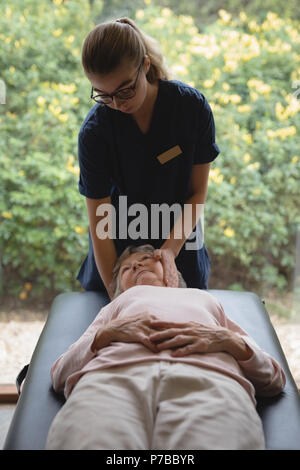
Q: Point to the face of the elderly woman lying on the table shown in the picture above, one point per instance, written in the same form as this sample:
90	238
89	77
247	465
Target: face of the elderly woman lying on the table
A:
141	269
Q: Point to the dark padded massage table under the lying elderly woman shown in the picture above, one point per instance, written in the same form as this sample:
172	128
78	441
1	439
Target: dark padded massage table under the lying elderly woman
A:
71	313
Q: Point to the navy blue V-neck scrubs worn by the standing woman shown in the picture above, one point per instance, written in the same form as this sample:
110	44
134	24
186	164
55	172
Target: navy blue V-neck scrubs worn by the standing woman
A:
116	158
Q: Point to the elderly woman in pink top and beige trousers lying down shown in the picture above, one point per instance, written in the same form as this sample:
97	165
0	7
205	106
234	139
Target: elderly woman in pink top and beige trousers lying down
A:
161	368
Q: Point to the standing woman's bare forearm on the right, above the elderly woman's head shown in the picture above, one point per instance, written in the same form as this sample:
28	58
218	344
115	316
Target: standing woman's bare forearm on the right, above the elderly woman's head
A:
186	223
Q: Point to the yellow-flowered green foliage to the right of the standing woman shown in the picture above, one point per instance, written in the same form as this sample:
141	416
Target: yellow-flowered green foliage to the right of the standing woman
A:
246	71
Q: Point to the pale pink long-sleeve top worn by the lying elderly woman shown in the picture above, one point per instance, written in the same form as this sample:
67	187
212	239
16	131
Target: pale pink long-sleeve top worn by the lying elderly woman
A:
260	374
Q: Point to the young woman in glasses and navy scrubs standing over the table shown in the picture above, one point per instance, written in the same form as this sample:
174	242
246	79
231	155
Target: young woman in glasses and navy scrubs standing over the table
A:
150	139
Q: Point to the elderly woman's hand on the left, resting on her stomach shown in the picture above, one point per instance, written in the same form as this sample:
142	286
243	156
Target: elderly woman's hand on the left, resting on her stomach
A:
132	329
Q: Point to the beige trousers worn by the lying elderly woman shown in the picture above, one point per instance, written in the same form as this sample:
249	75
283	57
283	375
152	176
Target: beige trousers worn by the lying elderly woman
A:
157	405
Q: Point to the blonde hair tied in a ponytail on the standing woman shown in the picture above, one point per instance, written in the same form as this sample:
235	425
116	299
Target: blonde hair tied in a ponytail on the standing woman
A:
110	43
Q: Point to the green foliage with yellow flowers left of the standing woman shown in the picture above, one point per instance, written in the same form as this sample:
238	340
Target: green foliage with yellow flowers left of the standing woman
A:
47	97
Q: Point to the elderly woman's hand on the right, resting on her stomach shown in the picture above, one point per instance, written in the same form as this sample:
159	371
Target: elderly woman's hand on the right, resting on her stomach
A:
190	337
